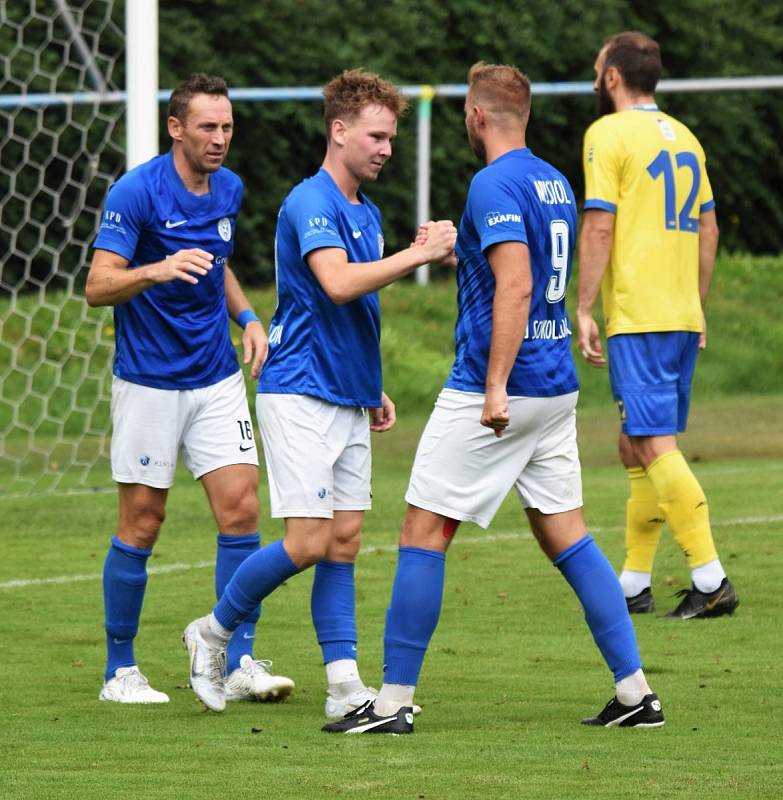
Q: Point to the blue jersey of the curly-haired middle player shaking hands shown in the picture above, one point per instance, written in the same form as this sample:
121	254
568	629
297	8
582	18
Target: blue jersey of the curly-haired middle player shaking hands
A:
317	347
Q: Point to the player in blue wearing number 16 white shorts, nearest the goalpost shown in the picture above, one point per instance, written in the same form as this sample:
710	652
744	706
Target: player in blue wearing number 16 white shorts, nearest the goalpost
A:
161	259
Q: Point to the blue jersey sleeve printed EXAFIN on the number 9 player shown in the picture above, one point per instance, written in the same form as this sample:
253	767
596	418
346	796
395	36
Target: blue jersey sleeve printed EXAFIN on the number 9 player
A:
496	213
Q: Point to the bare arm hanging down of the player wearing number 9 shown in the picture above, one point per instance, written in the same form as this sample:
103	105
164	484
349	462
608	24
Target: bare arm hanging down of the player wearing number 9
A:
510	263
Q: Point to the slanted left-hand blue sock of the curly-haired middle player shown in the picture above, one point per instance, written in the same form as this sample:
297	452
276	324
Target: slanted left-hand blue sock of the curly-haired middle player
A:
256	577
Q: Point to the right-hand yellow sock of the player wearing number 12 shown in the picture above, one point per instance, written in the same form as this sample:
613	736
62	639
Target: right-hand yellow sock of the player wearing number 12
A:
684	505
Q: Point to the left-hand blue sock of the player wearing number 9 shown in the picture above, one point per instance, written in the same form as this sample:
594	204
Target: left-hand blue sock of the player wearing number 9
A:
413	614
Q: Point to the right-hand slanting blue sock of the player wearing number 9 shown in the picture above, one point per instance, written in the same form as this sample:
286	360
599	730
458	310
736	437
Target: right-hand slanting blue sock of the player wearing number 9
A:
591	576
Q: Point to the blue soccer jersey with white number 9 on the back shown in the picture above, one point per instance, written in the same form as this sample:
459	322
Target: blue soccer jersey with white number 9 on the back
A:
517	198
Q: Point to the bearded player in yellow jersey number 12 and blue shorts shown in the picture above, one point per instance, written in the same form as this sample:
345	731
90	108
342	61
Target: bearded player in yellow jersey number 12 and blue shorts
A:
648	242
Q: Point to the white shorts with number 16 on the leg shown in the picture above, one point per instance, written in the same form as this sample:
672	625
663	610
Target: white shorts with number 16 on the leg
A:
210	426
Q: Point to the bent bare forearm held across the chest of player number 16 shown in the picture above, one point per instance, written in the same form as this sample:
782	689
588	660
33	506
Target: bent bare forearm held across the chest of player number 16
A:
110	281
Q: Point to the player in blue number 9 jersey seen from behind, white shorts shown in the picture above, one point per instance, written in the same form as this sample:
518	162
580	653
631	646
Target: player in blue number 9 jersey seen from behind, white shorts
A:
506	418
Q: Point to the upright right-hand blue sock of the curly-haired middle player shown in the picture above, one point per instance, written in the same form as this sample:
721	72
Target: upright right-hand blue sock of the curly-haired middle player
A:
333	607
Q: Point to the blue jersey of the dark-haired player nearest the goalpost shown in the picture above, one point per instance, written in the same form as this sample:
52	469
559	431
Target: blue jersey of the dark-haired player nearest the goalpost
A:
172	335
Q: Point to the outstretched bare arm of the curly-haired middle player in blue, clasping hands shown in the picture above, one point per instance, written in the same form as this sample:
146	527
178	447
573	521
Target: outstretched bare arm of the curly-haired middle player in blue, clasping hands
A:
344	281
